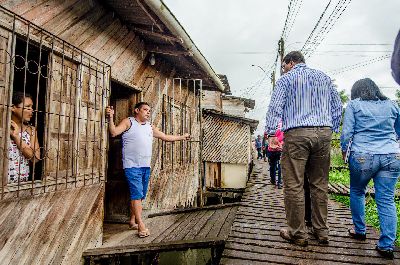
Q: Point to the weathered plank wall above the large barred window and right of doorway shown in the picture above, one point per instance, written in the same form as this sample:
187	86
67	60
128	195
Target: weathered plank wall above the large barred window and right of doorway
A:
95	30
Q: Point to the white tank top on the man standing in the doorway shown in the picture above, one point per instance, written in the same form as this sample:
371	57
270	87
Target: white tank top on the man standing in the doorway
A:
137	143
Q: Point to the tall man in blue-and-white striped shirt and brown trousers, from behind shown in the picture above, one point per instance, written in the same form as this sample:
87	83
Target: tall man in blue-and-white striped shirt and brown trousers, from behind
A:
309	106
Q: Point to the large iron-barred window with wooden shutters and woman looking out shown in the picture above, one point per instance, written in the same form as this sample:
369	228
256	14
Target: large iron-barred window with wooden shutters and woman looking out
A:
69	90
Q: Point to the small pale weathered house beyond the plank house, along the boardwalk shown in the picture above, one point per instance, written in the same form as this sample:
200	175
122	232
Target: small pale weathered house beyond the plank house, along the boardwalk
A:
226	142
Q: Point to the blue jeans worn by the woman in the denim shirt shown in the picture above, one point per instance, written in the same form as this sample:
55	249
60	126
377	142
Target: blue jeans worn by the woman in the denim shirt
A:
384	170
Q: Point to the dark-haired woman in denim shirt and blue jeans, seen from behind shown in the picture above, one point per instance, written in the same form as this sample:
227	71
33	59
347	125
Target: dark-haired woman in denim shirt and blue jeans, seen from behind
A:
370	128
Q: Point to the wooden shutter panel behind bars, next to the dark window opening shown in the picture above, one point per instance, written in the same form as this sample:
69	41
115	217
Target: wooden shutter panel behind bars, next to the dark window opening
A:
60	118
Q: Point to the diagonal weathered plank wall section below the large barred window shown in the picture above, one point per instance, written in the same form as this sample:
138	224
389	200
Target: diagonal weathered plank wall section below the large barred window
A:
52	228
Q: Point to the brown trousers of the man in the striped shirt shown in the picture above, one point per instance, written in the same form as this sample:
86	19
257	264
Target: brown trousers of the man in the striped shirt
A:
302	145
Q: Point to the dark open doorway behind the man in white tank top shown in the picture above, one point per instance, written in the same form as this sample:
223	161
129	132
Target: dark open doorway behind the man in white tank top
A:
122	99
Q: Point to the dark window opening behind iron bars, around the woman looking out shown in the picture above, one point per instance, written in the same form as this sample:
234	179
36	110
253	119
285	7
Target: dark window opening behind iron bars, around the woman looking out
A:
29	59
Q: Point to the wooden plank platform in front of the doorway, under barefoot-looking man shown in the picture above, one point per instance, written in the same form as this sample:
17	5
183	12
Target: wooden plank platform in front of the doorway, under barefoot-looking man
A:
175	230
